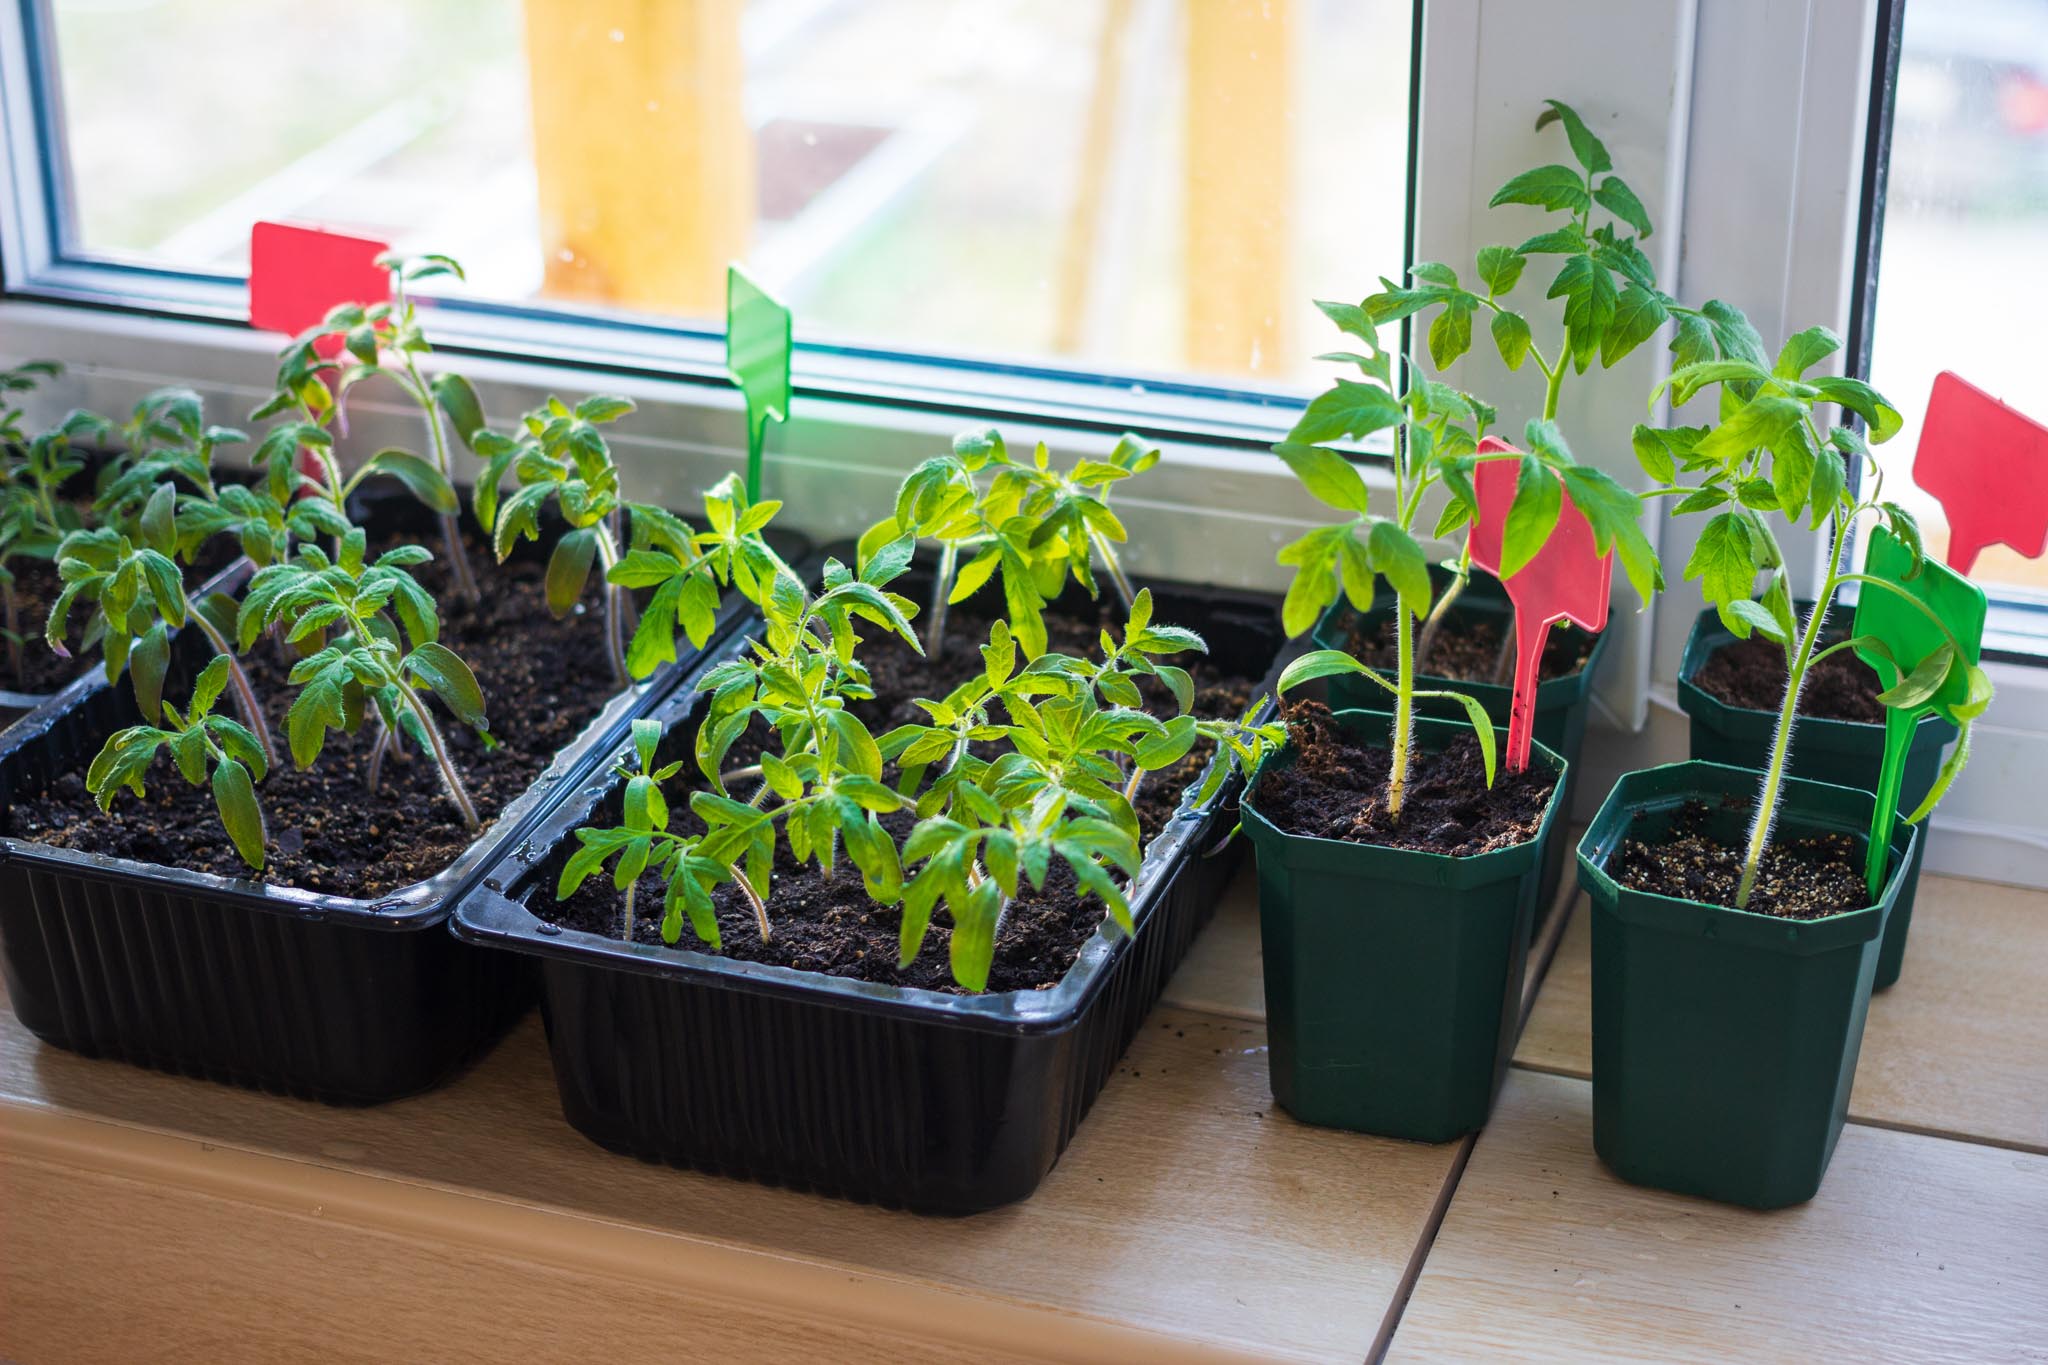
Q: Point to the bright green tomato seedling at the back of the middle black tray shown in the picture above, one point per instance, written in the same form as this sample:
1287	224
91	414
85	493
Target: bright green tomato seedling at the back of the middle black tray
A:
1027	523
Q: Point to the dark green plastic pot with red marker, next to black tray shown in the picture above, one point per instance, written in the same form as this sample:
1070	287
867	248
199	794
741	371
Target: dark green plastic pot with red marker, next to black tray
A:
1394	979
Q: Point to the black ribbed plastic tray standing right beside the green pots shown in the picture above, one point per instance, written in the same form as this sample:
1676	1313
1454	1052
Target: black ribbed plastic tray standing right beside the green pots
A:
896	1096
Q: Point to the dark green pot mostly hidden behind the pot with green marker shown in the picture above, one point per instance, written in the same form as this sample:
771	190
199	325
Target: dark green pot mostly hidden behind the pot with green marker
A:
1842	752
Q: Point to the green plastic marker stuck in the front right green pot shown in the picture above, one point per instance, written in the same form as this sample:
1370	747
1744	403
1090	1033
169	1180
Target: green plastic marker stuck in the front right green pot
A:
1912	637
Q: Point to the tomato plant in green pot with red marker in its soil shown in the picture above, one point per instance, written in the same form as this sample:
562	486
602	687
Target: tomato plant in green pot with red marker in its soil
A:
1398	879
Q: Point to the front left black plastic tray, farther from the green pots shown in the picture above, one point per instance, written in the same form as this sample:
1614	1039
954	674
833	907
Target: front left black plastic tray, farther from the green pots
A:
327	998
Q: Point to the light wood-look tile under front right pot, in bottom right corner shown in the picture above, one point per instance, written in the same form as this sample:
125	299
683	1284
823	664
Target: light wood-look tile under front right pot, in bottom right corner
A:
1918	1249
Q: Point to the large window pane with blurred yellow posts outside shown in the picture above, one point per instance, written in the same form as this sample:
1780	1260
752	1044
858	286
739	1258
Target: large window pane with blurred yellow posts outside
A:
1150	187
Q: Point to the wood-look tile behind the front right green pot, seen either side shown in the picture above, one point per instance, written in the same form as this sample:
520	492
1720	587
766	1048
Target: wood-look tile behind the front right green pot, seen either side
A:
1959	1047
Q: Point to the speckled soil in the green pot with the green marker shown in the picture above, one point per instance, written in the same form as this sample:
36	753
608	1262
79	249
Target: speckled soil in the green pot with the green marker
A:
1799	879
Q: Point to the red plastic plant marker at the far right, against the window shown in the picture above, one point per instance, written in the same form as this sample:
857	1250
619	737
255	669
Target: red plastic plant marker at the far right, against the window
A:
1990	470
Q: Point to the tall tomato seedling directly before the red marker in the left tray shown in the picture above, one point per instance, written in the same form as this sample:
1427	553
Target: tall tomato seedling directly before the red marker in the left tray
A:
382	341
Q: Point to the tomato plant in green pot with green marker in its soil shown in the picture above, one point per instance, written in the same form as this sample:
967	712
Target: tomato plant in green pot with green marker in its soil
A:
1738	926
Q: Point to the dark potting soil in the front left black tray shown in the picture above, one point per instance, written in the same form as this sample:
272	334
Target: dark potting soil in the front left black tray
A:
542	678
